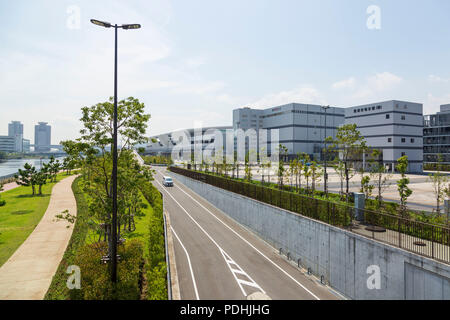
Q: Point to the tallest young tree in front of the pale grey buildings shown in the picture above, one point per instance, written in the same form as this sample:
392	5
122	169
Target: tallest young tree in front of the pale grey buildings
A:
349	142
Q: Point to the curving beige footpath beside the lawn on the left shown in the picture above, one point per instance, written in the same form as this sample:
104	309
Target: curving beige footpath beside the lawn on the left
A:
29	271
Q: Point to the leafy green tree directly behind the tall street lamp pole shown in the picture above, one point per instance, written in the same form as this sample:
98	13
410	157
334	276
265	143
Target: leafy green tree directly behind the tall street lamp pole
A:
96	137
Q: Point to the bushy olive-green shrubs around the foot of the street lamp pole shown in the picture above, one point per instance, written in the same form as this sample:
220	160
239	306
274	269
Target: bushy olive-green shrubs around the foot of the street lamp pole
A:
95	276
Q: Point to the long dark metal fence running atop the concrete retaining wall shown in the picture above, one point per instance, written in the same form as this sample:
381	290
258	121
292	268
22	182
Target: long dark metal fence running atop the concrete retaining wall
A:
422	238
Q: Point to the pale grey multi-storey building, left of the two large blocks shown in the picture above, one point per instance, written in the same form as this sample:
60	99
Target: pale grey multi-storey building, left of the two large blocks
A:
302	127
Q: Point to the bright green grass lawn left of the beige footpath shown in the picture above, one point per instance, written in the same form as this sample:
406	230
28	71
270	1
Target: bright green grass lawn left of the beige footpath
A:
20	216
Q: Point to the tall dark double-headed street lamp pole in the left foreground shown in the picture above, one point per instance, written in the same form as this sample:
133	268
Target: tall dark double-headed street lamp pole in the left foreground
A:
113	251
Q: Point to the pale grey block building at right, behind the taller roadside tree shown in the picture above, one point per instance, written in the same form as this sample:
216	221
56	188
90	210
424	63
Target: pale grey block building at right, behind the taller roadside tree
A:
395	127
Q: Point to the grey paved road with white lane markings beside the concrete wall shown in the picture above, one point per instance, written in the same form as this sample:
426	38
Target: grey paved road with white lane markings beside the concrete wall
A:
219	259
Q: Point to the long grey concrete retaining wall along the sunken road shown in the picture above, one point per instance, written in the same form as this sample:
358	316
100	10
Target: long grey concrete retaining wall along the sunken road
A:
347	261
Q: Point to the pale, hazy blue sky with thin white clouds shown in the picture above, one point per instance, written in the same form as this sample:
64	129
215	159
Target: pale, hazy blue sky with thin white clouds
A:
198	60
